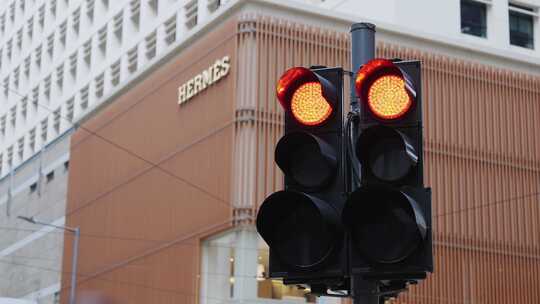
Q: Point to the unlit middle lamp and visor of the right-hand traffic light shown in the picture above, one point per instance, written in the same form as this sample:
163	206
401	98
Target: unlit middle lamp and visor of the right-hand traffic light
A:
386	152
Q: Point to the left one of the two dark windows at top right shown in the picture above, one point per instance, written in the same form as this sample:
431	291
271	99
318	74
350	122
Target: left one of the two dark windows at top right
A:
474	18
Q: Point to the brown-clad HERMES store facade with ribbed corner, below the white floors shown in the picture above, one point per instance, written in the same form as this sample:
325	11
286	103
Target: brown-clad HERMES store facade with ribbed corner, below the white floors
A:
176	219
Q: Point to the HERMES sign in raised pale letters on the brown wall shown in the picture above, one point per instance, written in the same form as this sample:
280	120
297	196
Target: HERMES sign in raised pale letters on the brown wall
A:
200	82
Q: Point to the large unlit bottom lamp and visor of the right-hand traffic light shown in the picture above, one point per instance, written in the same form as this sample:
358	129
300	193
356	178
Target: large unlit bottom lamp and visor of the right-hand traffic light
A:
386	224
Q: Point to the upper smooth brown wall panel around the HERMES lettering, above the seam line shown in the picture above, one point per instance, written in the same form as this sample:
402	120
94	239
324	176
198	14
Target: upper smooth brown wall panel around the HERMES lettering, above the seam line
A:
133	121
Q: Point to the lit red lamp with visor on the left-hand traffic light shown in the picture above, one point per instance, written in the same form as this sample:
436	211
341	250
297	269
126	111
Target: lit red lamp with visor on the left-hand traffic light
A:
309	97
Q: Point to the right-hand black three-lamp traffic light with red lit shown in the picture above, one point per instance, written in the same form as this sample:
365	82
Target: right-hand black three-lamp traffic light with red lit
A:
388	218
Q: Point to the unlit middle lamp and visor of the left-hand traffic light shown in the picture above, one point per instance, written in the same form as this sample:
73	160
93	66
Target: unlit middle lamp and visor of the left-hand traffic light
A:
306	159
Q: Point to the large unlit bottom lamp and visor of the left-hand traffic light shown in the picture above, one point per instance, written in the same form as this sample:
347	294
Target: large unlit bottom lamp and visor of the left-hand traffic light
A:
302	229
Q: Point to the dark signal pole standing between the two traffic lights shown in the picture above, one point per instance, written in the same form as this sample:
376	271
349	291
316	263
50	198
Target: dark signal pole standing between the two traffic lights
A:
362	51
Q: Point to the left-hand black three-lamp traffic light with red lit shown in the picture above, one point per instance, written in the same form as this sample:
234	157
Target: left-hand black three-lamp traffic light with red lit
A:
302	224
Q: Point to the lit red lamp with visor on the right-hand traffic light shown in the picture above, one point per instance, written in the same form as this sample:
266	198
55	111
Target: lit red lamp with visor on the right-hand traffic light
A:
385	89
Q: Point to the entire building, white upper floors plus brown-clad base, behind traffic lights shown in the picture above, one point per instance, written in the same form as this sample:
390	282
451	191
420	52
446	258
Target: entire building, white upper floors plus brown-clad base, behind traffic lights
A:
106	60
